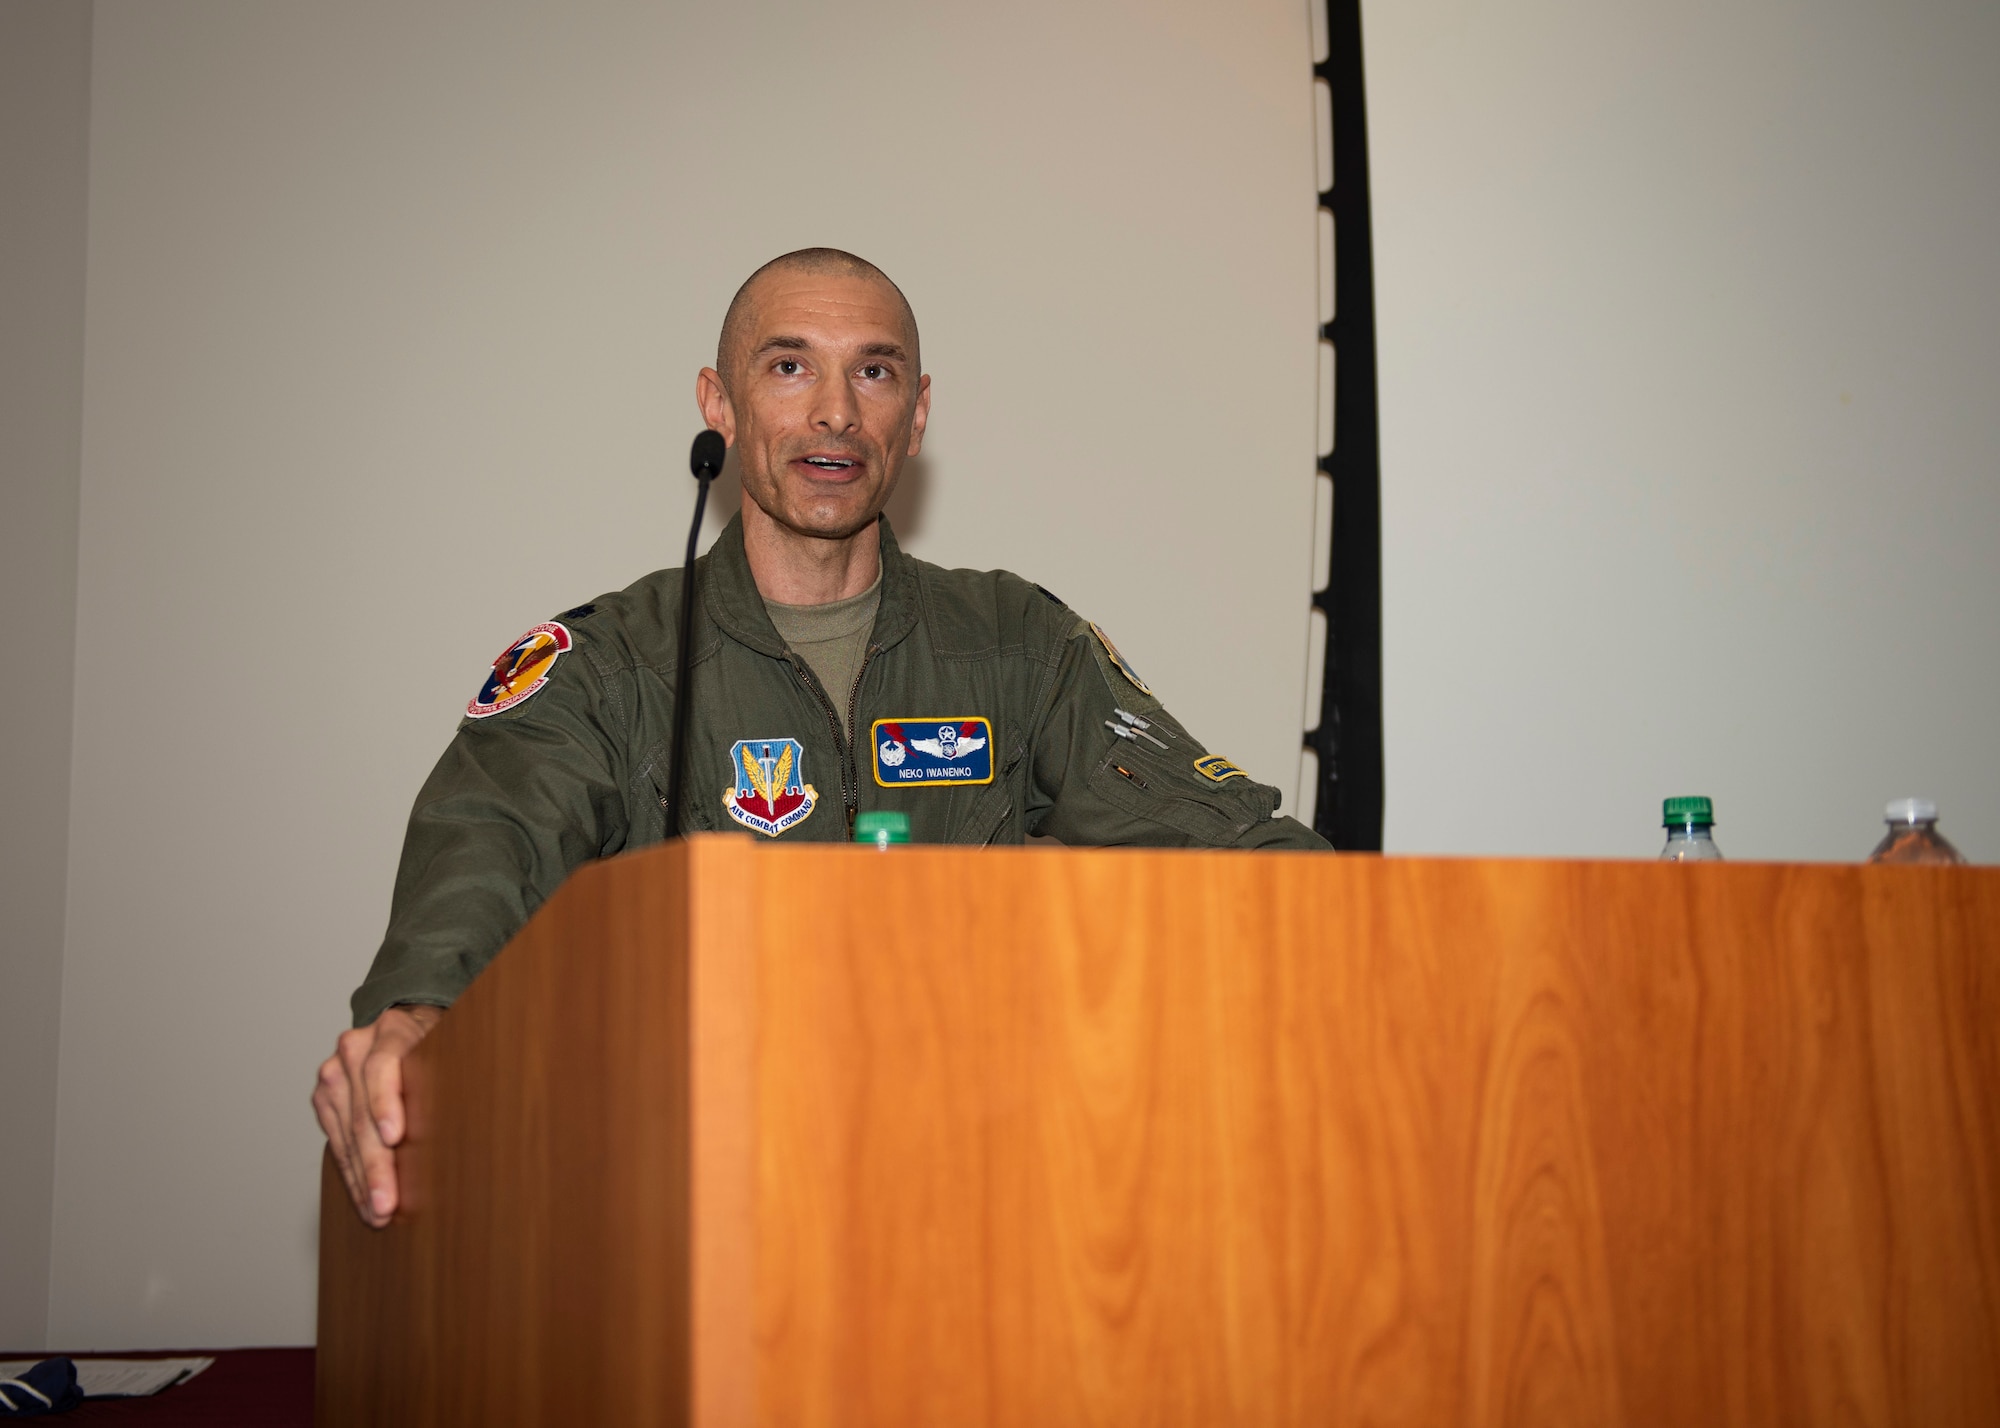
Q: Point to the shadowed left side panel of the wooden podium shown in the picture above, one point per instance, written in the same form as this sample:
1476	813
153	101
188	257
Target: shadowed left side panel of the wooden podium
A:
537	1271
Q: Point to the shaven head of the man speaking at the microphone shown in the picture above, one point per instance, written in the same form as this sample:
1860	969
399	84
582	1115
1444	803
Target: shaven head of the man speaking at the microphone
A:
819	387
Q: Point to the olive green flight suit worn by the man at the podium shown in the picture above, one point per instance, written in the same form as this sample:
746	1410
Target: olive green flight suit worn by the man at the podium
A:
579	769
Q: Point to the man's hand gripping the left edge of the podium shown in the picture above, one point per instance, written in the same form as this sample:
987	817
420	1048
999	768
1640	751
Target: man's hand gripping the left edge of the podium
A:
359	1103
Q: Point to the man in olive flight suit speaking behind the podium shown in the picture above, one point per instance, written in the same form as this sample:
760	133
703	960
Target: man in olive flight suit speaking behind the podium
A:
831	675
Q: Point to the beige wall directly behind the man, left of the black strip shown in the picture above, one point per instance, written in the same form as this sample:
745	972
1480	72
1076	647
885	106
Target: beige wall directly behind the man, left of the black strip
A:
395	315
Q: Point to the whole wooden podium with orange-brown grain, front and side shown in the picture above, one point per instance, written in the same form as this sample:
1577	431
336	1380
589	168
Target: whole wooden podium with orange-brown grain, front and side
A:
809	1135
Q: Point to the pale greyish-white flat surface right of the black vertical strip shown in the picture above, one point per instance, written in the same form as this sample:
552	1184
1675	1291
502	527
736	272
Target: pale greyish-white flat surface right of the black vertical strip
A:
1691	421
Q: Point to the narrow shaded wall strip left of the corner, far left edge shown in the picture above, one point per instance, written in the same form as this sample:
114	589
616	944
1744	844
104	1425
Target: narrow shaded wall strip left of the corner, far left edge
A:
45	151
